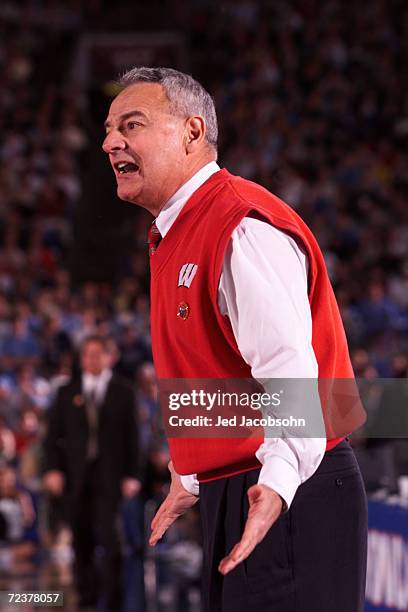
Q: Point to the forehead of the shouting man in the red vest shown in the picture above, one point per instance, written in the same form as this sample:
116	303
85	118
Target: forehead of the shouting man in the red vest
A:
146	97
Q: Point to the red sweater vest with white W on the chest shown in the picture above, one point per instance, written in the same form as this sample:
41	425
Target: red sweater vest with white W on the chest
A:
203	345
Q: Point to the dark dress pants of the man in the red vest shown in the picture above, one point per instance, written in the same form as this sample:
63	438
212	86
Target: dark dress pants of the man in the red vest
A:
313	559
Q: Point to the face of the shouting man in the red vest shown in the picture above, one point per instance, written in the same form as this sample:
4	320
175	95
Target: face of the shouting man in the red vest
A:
145	144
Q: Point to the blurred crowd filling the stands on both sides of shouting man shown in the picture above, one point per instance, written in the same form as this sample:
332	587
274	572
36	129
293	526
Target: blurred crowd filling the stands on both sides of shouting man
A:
312	104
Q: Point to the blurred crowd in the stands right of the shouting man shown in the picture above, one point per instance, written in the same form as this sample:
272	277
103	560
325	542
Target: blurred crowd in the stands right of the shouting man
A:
313	106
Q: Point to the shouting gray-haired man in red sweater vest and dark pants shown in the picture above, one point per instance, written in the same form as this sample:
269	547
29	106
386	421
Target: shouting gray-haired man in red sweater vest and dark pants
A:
284	519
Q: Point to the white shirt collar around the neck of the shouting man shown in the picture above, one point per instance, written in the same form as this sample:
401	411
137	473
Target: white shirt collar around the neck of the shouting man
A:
173	206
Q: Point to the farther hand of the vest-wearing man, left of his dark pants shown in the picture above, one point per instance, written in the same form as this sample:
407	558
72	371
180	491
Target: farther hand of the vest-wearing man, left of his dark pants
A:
177	502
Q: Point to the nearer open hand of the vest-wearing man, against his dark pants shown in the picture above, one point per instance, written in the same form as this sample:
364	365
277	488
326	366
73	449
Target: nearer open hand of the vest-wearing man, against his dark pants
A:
265	506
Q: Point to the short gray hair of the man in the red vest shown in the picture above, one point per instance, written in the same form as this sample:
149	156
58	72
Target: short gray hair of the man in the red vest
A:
186	96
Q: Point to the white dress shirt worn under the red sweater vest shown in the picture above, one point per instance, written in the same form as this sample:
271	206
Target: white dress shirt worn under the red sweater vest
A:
263	292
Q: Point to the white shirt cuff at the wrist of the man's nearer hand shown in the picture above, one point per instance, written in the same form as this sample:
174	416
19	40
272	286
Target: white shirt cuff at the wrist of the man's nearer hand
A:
278	474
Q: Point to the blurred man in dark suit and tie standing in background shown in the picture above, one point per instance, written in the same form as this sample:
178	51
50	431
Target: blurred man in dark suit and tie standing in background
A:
91	452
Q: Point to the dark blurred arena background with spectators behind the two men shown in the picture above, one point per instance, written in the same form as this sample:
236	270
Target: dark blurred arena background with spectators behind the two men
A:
312	104
